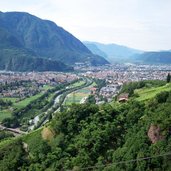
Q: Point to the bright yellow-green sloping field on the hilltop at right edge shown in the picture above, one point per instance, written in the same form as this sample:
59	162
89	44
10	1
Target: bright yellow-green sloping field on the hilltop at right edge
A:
147	93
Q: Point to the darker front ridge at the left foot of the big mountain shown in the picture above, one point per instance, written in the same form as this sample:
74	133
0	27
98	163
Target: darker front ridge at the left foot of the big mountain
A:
14	57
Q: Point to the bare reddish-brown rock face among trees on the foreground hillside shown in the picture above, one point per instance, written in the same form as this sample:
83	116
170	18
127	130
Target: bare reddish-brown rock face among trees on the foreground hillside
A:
154	134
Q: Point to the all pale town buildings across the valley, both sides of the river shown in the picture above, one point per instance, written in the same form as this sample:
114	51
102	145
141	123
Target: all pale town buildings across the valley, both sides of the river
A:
114	75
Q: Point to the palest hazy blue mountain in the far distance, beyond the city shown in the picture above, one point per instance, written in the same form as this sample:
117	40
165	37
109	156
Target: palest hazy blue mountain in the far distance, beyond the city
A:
114	52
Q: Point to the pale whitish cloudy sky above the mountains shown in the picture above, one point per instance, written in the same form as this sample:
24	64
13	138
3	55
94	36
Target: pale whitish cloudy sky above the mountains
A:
140	24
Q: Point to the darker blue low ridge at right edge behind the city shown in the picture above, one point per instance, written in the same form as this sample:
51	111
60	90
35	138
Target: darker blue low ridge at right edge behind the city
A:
163	57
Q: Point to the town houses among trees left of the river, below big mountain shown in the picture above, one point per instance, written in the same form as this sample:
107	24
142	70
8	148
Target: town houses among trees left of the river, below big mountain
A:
22	85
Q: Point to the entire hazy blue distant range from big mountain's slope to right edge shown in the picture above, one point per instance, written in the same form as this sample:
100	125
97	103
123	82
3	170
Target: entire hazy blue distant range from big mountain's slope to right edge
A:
117	53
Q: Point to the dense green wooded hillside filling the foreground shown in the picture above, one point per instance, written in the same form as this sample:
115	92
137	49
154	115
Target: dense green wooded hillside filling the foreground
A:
128	136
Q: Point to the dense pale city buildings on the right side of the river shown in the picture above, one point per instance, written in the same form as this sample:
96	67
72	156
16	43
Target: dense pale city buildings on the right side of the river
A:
116	75
